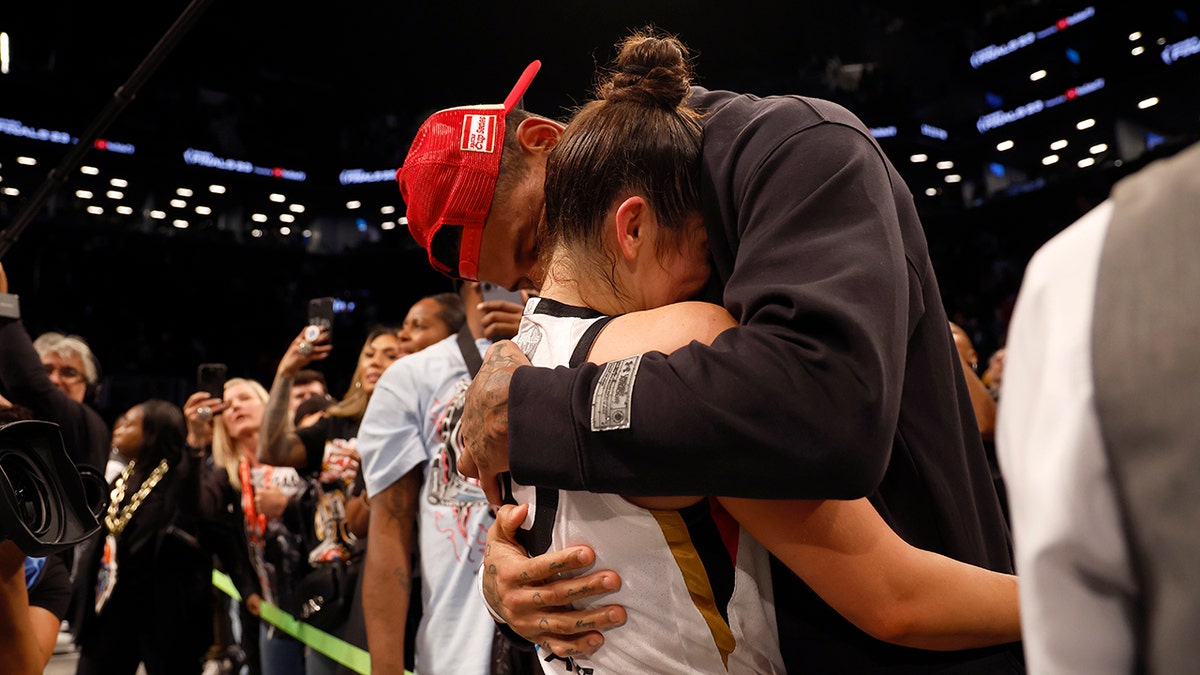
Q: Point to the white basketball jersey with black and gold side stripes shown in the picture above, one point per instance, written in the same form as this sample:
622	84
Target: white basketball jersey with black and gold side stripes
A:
680	622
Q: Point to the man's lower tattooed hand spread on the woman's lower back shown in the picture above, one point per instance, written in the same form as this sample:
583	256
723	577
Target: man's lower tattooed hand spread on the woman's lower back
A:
533	600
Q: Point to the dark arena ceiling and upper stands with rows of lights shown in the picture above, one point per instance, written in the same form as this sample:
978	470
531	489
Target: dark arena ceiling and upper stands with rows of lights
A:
273	129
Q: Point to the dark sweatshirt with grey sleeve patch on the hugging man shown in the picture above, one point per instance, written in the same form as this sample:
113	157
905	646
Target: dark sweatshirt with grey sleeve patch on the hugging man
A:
841	383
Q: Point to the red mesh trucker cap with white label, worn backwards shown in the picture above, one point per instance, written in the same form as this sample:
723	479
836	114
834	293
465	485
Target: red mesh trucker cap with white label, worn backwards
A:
449	178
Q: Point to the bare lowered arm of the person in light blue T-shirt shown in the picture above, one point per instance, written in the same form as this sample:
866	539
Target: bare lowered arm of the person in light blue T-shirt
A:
388	575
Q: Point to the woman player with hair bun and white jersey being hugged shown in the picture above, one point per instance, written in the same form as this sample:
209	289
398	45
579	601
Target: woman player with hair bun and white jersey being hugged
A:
621	259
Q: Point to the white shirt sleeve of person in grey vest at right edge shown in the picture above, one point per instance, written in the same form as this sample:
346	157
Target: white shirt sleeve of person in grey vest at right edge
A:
1072	559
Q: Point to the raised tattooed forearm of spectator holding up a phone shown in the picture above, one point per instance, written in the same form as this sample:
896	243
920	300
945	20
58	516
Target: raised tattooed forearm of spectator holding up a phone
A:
278	441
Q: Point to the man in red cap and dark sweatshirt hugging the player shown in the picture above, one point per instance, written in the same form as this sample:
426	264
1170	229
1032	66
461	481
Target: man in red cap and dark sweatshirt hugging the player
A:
841	383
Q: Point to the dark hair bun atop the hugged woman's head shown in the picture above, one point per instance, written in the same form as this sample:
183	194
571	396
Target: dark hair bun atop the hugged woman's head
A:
651	70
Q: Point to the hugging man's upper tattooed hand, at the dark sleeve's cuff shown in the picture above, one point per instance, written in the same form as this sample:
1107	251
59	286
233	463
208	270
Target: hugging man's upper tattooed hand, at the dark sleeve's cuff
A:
485	419
